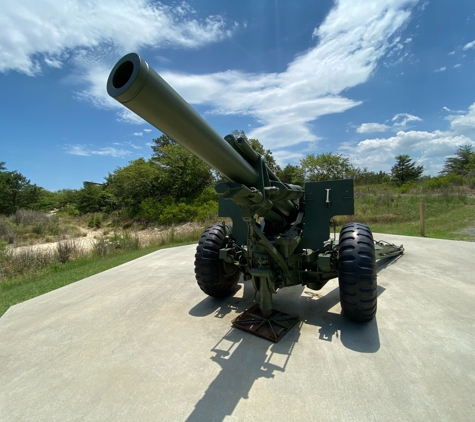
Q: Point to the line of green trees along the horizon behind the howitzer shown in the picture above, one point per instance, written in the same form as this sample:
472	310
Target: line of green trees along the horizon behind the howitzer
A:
175	186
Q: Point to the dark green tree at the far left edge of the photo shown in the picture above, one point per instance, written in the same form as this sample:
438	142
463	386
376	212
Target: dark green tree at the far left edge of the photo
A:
16	191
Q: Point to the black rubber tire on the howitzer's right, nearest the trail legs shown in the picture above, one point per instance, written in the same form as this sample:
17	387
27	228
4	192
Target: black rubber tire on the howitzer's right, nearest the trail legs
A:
357	276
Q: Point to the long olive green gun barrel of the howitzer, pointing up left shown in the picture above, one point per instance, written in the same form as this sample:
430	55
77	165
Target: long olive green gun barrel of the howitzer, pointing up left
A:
138	87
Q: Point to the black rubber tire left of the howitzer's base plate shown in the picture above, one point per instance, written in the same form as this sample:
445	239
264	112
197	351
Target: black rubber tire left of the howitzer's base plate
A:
215	277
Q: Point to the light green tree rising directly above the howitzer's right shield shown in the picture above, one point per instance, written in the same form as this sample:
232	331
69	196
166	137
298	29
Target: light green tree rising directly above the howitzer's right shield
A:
327	166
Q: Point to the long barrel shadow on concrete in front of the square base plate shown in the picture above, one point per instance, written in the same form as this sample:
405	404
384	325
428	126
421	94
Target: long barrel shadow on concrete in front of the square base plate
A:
243	359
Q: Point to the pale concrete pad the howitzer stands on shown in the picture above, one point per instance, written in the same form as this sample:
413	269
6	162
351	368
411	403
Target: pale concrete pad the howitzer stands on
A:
141	342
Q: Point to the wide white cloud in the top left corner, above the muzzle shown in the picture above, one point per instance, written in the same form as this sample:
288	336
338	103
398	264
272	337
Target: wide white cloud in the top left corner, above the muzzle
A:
51	32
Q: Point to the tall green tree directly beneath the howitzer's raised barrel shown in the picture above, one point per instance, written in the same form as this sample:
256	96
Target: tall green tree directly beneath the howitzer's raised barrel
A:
182	174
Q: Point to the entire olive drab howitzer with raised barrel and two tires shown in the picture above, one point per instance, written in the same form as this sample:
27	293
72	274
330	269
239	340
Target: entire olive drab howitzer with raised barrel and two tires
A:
281	232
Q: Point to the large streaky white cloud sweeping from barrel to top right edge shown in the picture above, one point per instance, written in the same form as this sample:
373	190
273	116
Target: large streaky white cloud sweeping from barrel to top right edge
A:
351	40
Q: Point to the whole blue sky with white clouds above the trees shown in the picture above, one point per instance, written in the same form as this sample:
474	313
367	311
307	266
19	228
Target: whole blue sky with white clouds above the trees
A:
370	79
